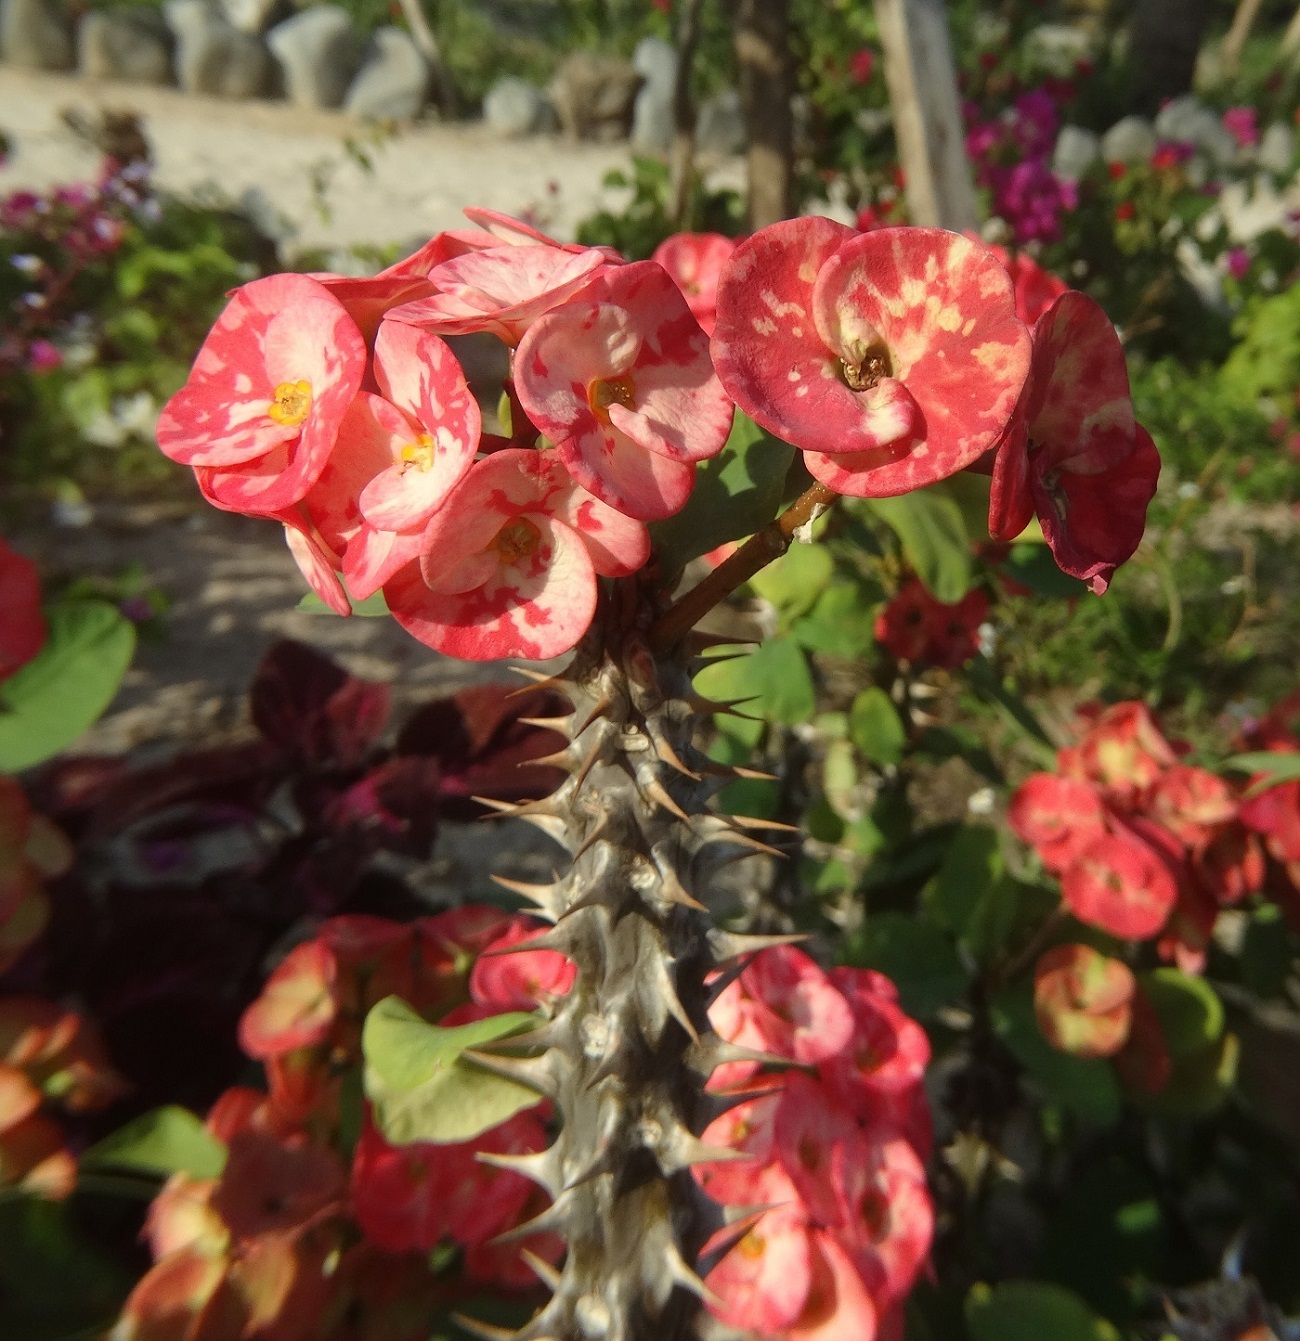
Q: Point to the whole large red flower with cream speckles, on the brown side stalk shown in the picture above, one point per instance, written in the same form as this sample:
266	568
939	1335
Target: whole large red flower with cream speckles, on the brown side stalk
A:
893	359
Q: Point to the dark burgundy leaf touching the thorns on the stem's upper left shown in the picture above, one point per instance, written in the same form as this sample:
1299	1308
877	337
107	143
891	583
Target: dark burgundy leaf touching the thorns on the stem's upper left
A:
484	746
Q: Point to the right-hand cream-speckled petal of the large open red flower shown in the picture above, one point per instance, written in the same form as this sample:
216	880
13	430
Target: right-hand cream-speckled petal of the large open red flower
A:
942	312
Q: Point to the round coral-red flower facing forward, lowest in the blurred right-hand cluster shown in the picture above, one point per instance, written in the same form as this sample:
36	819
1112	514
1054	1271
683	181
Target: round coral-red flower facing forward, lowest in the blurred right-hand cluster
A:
1122	886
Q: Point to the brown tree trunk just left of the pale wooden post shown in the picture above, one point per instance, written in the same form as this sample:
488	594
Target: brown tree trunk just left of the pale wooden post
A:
763	50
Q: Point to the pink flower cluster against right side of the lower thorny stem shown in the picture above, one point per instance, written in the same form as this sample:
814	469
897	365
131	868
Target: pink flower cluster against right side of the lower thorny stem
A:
835	1147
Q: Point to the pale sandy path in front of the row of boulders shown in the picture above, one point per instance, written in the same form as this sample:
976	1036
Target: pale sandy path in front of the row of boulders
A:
421	178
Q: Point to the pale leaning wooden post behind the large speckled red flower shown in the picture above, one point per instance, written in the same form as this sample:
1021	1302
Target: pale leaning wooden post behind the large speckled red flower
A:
928	115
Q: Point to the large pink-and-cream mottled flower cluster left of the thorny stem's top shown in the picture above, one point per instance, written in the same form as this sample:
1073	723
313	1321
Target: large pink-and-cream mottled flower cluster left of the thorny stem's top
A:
336	407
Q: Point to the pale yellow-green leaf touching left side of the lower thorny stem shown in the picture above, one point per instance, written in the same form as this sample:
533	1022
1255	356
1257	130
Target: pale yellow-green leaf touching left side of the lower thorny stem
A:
421	1086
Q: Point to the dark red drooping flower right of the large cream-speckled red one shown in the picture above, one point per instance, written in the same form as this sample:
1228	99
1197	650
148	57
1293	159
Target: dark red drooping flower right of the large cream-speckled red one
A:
1074	454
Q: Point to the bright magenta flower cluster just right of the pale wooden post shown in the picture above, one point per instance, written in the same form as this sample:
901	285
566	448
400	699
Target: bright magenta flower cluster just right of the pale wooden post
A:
1012	158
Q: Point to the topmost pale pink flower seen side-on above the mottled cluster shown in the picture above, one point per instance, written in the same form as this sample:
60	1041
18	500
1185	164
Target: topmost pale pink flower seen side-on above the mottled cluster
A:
502	290
